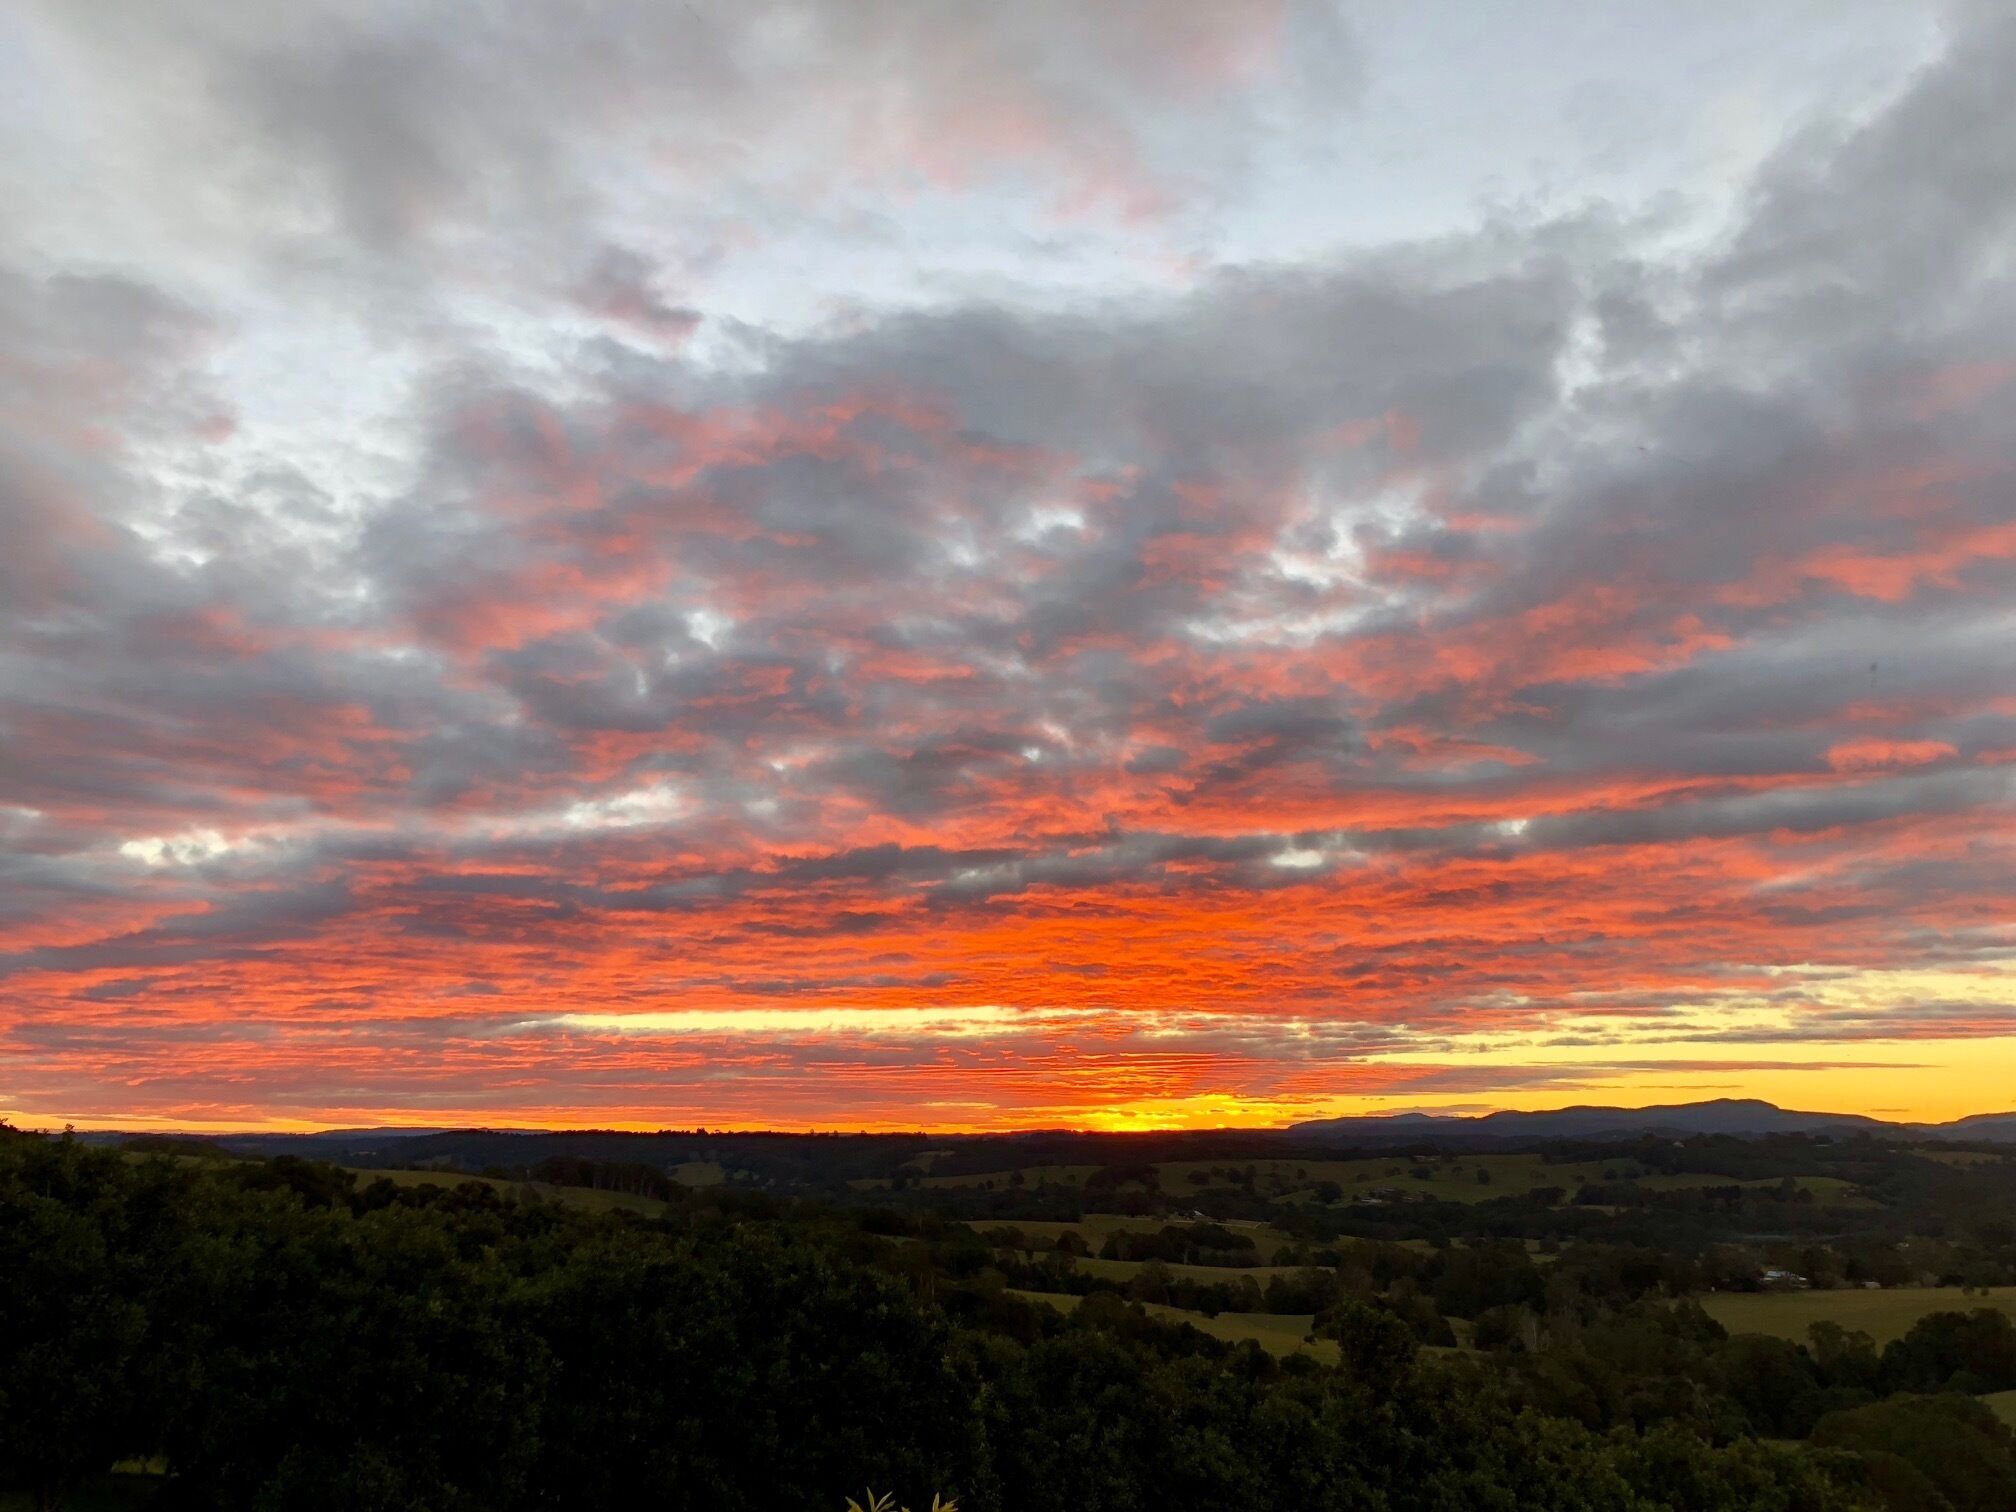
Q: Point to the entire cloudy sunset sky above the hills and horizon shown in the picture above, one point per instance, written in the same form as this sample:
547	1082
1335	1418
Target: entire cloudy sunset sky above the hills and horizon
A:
890	565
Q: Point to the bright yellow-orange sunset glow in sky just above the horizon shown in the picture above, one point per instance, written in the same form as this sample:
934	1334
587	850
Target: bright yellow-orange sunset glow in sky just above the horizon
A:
1757	1047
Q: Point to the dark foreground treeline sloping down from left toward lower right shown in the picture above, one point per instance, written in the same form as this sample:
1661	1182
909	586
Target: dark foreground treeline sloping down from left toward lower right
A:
281	1336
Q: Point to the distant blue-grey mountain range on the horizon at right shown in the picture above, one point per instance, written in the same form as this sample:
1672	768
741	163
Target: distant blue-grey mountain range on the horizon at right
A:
1729	1116
